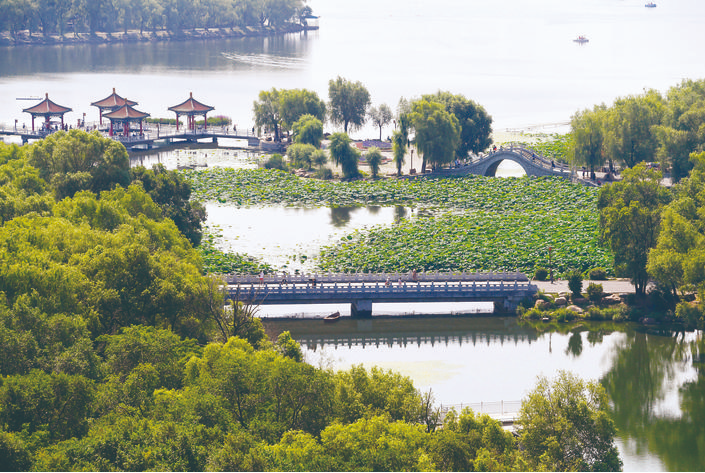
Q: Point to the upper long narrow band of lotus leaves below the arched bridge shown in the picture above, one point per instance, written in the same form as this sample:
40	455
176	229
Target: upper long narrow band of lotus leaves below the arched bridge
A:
261	187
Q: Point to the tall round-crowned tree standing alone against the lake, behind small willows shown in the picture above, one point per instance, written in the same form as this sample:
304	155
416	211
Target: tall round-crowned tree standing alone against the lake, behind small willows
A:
348	103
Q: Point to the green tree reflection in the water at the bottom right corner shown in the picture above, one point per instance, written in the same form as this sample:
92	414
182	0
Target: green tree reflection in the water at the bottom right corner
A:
645	368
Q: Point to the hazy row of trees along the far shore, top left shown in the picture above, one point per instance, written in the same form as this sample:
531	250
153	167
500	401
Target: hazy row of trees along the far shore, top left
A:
48	19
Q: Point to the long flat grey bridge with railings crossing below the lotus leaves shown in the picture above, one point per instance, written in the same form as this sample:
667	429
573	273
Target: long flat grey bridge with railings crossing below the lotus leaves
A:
505	290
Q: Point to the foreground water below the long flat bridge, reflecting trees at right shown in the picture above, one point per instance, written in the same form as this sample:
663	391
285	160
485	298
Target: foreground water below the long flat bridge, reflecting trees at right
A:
655	381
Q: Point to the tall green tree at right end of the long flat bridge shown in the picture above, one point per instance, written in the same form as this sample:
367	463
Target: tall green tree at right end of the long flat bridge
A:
630	216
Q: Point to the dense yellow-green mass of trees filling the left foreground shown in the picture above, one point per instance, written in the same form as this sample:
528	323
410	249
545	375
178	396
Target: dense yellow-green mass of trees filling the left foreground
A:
118	353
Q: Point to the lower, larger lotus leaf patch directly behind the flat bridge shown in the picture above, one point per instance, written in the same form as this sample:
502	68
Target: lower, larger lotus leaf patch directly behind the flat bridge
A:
478	241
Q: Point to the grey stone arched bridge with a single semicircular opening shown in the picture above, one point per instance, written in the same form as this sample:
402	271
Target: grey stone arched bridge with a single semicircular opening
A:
532	163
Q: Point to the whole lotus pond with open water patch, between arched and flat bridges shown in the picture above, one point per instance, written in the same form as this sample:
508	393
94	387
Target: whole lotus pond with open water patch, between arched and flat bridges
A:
470	223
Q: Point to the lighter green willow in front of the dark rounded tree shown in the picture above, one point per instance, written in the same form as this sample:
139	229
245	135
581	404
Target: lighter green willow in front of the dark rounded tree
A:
437	133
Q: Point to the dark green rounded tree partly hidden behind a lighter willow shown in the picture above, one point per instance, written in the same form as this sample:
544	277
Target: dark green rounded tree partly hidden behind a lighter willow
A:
475	123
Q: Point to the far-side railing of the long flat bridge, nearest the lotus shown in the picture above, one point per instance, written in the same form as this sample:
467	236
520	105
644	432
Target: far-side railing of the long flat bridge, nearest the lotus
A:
272	278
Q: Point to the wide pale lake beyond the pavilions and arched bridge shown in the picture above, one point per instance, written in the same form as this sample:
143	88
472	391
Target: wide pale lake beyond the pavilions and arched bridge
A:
515	58
